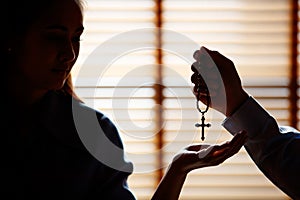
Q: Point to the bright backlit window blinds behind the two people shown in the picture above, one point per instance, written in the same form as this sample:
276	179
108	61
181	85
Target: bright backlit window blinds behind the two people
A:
120	69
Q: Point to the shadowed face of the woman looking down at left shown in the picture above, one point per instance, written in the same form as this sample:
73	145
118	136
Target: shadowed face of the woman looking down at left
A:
51	46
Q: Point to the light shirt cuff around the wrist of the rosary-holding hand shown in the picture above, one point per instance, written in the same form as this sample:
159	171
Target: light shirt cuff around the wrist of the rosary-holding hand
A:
250	117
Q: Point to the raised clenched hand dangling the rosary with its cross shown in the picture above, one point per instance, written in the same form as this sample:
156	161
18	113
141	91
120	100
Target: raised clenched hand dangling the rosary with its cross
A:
215	72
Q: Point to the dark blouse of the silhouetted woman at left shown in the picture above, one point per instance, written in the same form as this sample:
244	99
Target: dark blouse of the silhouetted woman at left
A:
44	157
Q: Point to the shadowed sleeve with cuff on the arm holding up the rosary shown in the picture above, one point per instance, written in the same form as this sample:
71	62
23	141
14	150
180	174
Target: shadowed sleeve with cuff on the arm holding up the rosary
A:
274	149
